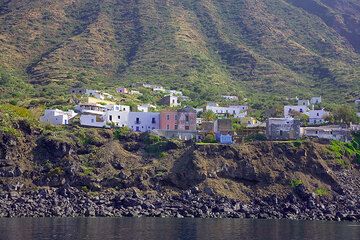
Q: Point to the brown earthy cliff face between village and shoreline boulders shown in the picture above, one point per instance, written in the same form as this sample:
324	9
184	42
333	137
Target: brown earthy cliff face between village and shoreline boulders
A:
97	162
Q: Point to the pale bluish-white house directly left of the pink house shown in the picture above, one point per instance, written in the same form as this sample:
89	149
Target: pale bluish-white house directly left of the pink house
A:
144	121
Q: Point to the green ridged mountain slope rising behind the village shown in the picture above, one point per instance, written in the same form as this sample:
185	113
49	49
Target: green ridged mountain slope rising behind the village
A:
245	47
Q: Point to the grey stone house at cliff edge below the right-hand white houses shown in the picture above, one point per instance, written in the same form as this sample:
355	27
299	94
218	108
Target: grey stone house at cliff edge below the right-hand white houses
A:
283	129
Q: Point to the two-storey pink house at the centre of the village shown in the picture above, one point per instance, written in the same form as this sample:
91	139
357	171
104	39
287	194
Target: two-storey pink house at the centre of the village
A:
183	119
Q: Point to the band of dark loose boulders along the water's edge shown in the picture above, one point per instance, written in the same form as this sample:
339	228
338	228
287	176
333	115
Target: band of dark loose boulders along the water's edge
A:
71	202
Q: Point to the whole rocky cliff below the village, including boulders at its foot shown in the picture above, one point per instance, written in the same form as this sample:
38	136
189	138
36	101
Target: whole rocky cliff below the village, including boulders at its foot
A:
91	173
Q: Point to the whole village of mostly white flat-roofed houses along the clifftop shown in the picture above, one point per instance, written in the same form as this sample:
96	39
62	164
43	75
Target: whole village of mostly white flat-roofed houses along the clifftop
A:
211	123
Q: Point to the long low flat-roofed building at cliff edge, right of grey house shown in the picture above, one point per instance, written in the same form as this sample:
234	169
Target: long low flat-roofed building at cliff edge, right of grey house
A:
328	132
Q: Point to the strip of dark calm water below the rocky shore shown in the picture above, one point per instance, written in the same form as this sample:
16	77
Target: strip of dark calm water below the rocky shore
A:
155	228
